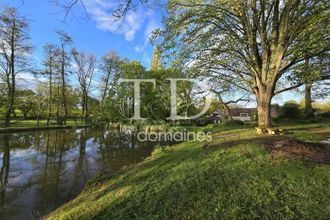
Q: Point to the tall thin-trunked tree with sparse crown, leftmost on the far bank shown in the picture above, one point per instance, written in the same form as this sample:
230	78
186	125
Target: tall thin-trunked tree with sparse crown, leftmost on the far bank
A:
14	52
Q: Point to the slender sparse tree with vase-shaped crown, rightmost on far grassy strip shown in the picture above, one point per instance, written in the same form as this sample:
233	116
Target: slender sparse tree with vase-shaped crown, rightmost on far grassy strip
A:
85	70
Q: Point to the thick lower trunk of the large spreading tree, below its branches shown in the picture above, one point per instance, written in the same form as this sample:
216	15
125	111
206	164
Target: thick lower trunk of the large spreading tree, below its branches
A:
263	108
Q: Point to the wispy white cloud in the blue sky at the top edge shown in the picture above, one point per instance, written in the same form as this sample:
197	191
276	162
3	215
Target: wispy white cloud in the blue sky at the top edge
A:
101	12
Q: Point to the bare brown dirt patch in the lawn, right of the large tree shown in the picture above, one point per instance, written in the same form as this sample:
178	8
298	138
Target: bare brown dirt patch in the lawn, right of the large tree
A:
315	152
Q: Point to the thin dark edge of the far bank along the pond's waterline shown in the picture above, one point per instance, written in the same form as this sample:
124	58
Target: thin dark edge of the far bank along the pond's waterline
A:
42	128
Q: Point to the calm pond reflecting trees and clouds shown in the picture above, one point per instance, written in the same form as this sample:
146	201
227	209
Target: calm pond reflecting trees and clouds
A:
42	170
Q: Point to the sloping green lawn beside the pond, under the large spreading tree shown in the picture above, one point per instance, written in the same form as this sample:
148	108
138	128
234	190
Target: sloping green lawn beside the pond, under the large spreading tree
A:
237	175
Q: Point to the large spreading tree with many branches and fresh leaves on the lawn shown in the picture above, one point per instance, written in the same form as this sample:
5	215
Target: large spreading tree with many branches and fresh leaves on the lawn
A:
251	44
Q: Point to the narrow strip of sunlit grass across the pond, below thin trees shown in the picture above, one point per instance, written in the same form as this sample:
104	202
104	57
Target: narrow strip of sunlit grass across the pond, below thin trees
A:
31	125
